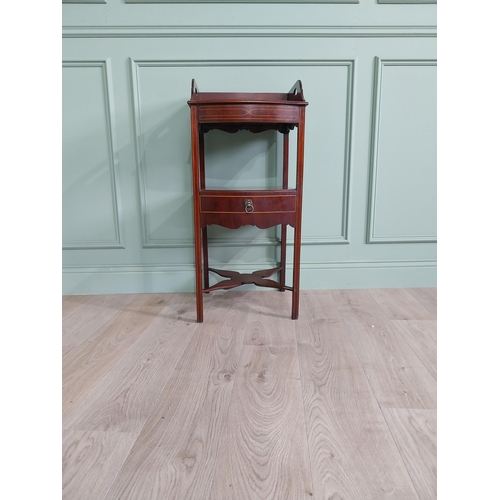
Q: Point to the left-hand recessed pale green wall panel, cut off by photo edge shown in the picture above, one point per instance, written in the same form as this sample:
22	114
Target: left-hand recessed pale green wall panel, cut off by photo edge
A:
90	204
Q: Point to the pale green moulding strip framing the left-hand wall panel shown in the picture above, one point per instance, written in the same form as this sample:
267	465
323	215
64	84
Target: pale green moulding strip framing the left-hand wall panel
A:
113	155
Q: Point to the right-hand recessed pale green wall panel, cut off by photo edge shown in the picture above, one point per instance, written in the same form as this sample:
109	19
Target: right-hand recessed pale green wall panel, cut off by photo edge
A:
403	169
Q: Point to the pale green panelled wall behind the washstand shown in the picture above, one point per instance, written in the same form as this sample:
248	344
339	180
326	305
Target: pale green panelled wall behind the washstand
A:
369	73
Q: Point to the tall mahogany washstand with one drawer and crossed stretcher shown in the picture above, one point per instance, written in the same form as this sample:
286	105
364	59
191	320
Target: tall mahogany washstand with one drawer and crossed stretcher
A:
257	112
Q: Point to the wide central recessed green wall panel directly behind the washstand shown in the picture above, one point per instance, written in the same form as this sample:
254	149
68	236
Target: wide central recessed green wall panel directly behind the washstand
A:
246	160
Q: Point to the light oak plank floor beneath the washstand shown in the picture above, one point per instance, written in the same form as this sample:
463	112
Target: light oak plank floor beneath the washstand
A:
338	405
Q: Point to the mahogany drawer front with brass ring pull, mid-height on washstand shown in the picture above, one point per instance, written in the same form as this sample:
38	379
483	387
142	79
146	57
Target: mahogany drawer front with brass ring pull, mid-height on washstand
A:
244	204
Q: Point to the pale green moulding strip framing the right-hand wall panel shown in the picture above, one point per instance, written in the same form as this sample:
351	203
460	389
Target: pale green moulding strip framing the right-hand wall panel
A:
372	179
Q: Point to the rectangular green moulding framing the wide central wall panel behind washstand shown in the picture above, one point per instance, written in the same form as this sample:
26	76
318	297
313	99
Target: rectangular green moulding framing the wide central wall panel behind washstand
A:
342	238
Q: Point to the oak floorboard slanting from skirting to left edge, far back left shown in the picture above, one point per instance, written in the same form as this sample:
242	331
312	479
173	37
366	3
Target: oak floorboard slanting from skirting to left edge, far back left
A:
79	325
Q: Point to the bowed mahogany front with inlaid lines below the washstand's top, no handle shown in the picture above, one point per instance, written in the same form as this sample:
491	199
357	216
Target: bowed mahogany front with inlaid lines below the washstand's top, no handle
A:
248	113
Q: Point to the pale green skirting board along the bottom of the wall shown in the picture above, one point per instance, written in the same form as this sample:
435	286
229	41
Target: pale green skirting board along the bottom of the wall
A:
313	276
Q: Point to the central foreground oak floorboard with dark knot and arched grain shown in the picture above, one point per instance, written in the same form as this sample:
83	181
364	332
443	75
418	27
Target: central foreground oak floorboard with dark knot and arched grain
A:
264	455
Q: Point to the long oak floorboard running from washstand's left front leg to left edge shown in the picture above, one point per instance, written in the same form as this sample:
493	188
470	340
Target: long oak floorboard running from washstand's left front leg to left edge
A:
126	396
